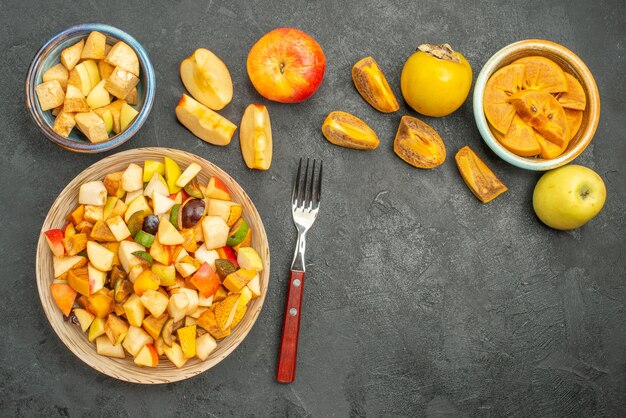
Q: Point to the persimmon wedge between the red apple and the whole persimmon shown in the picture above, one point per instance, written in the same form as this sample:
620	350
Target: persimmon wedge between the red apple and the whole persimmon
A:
372	85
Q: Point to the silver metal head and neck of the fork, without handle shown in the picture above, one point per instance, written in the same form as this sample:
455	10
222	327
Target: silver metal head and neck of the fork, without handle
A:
305	203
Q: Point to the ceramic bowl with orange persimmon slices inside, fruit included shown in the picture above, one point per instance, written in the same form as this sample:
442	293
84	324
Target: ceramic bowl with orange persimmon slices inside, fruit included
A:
536	104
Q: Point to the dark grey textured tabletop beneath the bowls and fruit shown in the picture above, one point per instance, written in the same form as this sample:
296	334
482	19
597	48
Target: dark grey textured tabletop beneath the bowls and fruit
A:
420	300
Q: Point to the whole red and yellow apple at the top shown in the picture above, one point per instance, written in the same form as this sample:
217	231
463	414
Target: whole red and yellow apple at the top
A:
286	65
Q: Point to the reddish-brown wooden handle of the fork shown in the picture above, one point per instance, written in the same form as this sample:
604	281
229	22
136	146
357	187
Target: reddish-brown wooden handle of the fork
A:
287	355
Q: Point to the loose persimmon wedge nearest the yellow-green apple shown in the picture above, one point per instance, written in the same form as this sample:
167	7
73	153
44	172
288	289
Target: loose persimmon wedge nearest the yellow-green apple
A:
485	185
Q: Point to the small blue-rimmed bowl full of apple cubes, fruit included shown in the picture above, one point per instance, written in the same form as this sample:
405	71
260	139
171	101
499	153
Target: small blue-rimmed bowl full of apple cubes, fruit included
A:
90	88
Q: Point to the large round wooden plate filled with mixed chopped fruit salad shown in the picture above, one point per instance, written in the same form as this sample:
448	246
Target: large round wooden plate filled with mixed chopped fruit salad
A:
152	265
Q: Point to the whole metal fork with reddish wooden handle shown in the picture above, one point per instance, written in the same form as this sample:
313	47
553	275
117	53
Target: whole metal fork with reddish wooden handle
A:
305	203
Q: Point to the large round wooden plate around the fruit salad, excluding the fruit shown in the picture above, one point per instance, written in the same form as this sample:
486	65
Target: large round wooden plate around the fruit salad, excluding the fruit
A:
76	340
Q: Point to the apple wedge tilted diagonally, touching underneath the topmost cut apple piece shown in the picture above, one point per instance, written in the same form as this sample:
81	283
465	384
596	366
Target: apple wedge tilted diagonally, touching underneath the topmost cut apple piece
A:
203	122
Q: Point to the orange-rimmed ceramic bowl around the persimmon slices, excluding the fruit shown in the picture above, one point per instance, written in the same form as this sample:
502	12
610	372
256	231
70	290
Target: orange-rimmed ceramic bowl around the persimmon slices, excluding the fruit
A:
570	63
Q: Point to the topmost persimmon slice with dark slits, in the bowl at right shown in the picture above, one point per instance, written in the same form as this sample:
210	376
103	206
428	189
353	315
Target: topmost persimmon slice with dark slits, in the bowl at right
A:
544	113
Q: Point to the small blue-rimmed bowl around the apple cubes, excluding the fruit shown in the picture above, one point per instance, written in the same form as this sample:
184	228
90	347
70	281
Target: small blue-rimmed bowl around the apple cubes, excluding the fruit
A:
49	55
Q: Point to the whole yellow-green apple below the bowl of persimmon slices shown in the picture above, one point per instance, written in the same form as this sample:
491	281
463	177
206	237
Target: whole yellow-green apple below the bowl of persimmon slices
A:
569	197
